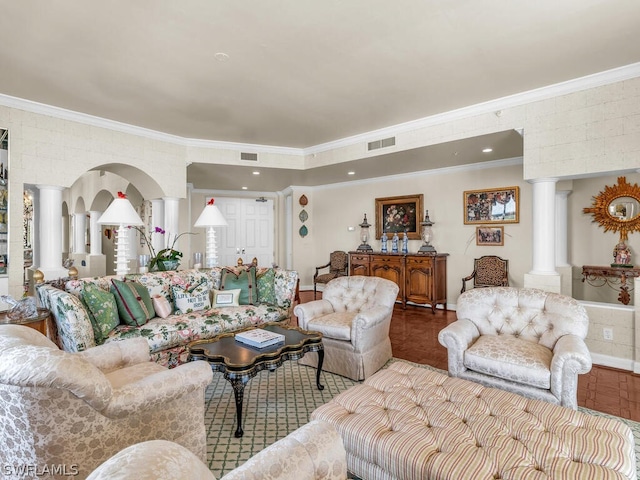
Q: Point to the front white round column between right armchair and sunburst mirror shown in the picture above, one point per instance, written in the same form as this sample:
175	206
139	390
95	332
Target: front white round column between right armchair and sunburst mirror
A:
543	274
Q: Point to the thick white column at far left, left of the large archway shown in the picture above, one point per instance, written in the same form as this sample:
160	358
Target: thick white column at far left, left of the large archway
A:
50	232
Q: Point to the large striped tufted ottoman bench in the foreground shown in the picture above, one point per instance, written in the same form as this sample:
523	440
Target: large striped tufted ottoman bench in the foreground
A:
407	422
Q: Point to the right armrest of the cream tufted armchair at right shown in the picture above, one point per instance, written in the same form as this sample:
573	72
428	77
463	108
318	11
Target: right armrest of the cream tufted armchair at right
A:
571	357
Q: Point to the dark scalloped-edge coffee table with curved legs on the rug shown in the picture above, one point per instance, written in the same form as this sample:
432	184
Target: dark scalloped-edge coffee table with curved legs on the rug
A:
240	362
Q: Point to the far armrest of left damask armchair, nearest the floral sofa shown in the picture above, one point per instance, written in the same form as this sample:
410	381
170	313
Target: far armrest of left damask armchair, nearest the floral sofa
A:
115	355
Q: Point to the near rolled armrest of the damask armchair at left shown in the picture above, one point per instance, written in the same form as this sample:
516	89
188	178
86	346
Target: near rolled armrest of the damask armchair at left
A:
153	390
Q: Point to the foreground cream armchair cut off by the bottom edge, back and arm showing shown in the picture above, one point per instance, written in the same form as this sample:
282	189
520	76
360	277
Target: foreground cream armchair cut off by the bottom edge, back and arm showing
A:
315	450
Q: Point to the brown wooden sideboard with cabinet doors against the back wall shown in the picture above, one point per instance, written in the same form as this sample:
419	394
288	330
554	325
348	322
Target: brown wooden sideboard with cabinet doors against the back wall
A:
422	279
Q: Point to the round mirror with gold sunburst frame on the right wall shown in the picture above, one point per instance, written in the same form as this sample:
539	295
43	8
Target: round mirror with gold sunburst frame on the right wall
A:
617	208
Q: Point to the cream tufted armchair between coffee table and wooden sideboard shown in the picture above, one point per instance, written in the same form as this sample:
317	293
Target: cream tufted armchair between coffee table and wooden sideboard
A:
353	316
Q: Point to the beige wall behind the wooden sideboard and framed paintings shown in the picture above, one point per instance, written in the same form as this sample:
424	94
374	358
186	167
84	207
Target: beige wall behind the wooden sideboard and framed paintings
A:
333	209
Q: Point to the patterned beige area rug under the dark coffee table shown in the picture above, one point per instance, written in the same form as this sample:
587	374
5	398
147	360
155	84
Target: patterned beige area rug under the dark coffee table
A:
275	404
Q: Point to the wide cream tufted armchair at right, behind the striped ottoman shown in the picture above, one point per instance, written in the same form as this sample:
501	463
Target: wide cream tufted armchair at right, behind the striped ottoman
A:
525	341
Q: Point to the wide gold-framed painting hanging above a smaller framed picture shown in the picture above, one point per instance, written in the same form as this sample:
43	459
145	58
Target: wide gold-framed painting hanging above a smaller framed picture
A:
493	205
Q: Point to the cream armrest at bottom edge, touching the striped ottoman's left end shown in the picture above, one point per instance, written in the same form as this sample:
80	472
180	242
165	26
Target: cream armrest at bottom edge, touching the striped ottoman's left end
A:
315	450
